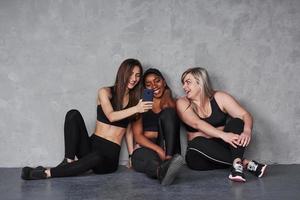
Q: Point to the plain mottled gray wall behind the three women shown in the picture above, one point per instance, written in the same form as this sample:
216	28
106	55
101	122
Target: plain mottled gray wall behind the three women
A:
54	55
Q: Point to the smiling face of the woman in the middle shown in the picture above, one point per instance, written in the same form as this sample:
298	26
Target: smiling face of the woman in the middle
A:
155	83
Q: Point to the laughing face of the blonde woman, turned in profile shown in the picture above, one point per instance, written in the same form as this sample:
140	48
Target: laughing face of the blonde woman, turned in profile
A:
191	87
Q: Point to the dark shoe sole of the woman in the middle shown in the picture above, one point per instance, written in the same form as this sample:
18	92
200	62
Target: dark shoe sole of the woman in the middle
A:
173	170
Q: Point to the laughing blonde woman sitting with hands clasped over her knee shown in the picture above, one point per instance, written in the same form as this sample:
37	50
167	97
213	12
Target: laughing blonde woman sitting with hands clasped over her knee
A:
214	141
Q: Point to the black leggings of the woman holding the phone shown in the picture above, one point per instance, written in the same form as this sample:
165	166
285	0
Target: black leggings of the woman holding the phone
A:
96	153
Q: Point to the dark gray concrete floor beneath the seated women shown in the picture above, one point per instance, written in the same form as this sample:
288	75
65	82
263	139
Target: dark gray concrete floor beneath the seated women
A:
280	182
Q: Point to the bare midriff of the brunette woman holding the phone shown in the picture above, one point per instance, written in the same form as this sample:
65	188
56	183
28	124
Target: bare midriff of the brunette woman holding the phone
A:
112	133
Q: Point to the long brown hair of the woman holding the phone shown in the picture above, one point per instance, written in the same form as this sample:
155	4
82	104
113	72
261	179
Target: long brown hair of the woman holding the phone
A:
120	86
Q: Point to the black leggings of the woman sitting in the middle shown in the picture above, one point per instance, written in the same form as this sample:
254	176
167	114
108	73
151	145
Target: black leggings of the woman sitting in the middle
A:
146	160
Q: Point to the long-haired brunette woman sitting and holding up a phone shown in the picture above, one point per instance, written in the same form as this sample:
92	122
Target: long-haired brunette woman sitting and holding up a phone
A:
100	152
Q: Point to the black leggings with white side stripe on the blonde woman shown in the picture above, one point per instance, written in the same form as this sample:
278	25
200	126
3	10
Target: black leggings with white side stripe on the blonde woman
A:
207	154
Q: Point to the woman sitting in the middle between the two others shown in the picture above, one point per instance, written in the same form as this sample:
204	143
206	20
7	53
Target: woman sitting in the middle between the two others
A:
156	133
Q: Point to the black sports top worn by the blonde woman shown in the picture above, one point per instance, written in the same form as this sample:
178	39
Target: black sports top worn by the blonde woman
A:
216	119
